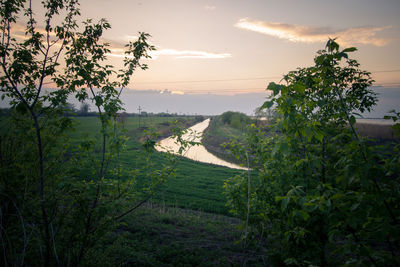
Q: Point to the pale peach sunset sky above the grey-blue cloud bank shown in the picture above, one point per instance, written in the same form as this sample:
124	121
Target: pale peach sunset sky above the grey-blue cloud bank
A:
238	46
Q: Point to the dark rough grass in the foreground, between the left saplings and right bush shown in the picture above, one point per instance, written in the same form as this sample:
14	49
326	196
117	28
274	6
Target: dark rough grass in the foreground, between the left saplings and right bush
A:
156	235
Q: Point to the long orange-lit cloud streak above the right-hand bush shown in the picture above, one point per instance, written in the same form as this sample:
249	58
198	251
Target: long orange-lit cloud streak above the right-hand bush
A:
309	34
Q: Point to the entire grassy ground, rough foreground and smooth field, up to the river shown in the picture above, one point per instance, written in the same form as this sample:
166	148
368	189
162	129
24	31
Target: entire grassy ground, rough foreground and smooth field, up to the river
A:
161	233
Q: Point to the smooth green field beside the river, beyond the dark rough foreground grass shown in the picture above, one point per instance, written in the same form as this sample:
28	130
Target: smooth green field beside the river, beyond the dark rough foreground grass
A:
196	186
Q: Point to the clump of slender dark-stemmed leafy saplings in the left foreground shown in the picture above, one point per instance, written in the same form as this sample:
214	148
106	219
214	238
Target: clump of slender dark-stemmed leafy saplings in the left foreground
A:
52	211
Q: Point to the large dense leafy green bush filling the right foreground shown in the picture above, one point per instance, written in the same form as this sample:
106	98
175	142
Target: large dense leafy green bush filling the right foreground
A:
323	195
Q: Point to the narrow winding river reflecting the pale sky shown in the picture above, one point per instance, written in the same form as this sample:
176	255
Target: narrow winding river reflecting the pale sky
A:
198	152
